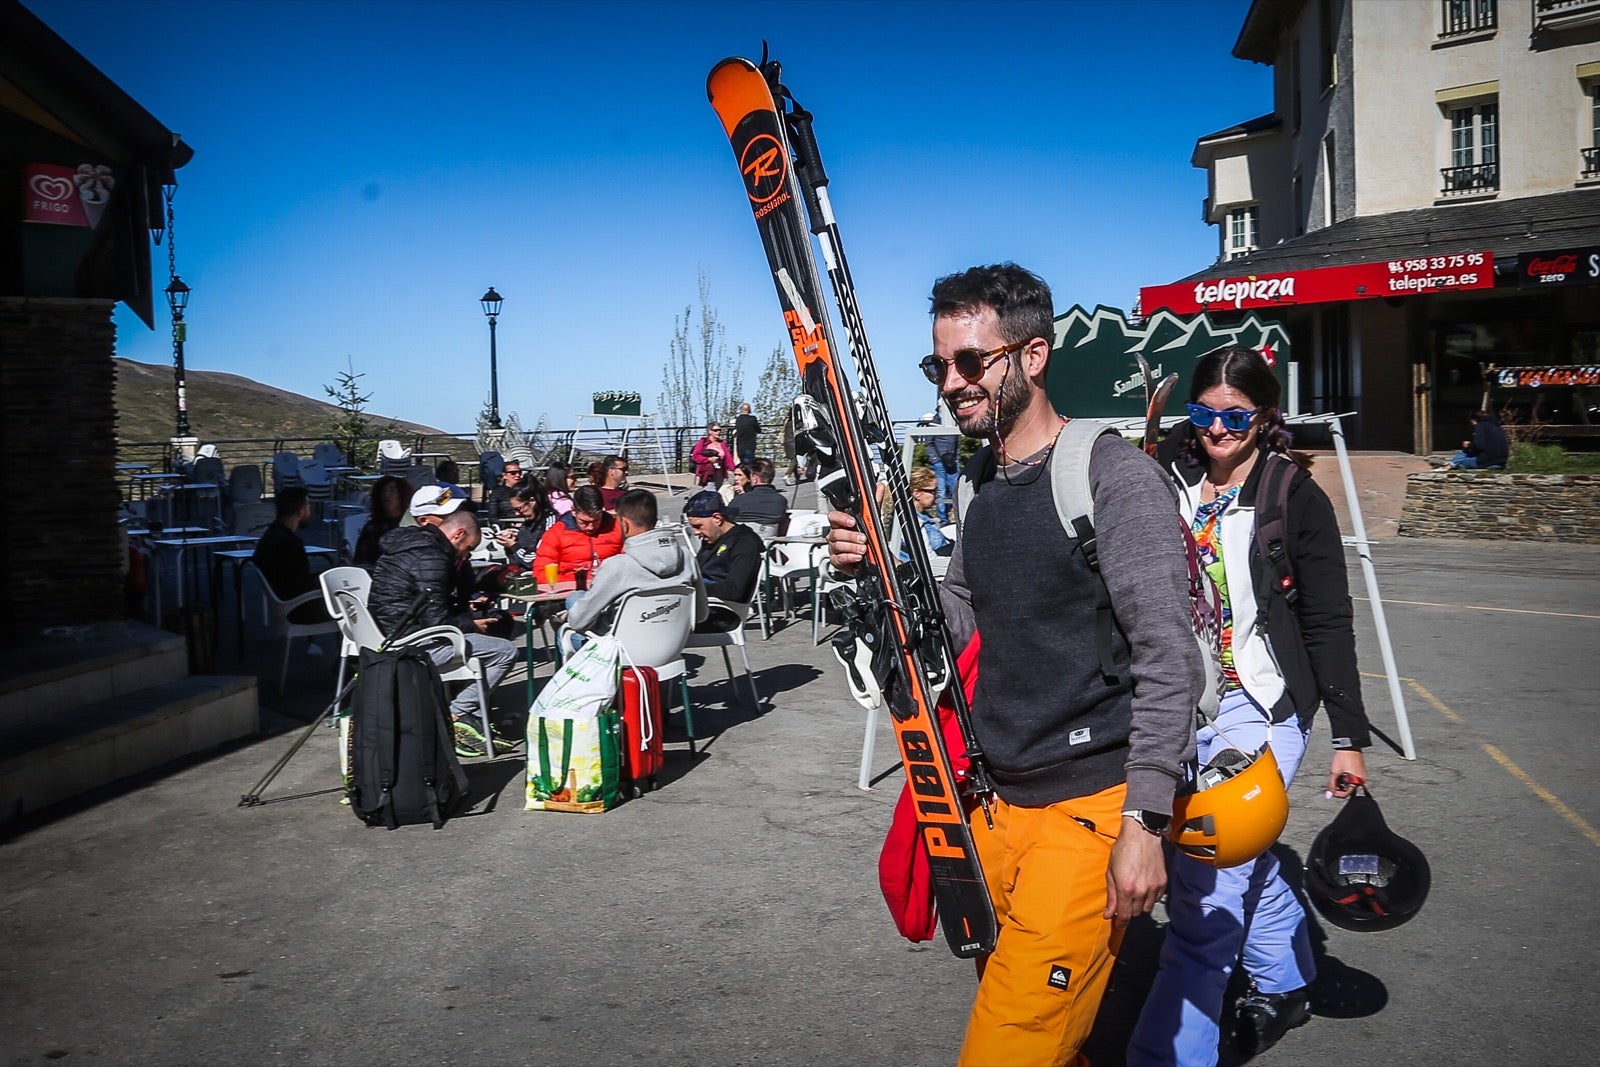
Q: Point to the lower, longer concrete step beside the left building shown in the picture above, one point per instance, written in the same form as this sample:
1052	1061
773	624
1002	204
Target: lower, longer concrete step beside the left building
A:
47	761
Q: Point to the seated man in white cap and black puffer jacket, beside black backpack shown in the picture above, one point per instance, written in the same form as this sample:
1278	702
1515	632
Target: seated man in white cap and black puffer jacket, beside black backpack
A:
423	562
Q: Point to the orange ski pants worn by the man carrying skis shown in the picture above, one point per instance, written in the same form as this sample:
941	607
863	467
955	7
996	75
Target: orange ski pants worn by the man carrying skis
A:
1041	988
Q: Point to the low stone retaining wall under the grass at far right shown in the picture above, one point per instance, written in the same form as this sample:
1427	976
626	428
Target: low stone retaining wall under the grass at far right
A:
1503	506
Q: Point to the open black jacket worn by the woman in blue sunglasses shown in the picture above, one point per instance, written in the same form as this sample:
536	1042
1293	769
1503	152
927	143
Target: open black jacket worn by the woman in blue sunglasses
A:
1313	639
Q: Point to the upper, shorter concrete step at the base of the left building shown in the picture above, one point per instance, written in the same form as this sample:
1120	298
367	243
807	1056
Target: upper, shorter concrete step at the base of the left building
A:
87	666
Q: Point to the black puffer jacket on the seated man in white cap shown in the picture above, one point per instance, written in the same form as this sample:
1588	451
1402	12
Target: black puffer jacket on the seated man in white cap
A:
418	562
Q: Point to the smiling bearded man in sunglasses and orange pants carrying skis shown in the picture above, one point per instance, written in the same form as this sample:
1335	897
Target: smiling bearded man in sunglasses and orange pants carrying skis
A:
1086	764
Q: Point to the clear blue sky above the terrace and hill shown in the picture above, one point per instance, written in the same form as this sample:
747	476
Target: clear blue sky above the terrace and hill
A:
366	170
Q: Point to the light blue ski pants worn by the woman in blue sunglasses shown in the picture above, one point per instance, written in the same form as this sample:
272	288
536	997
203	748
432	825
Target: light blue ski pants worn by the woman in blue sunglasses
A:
1218	917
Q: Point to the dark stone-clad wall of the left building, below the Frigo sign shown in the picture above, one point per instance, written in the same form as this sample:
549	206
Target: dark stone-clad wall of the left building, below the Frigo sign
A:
60	549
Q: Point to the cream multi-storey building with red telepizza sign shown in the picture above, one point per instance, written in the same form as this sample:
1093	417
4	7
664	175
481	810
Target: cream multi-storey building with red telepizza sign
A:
1420	210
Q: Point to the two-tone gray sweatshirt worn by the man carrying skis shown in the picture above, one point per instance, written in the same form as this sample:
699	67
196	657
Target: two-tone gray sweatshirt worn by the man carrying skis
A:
1049	721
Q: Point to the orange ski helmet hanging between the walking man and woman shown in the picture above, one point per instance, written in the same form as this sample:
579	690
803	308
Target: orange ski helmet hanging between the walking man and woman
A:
1236	812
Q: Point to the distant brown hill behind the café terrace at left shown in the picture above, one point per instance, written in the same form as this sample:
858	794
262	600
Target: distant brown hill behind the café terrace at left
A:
222	407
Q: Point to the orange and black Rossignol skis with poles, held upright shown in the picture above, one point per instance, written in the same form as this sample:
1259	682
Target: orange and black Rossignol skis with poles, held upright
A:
895	645
